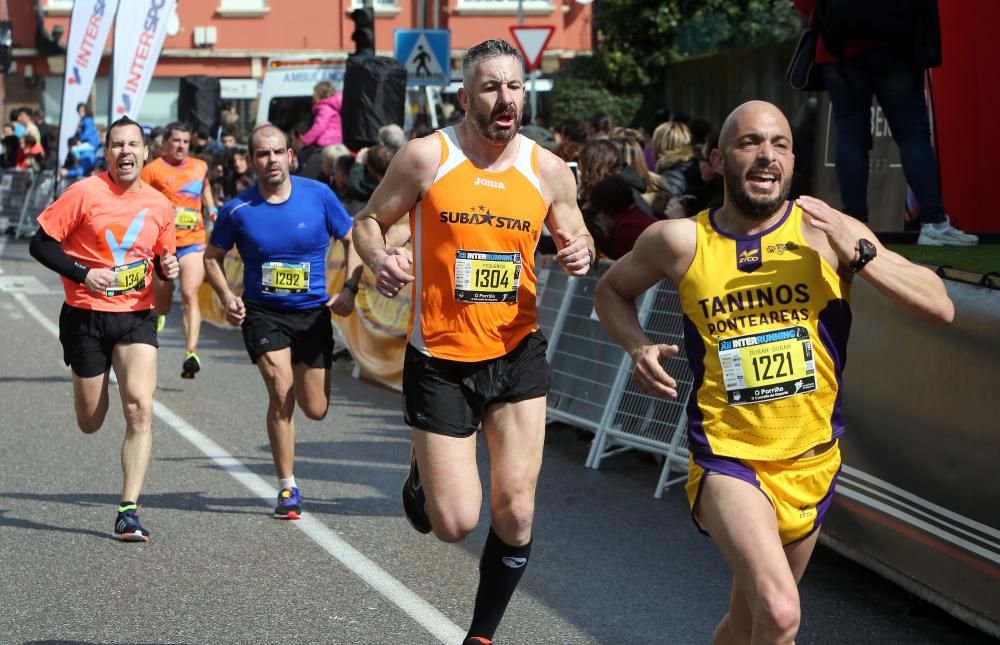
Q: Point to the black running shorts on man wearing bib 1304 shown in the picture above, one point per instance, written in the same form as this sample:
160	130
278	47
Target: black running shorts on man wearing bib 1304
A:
450	397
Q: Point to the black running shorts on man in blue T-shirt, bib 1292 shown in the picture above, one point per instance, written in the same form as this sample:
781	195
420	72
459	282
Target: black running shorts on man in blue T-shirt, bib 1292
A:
309	333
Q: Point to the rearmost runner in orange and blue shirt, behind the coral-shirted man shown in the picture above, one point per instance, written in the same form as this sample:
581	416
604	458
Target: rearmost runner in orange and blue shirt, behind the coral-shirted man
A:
184	181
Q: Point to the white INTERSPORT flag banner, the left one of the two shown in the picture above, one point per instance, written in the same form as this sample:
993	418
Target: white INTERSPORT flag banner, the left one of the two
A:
88	31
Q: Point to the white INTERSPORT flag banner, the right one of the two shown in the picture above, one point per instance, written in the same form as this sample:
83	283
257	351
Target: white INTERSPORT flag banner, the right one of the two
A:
140	29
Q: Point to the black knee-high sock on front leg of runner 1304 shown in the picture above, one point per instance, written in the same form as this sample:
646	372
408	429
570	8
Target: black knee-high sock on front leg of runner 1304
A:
500	569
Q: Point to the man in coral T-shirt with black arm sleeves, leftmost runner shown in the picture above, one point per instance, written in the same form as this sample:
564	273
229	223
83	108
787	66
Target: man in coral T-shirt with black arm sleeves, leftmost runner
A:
106	236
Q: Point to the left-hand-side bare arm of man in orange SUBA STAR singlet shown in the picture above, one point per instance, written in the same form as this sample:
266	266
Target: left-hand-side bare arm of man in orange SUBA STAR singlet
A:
409	175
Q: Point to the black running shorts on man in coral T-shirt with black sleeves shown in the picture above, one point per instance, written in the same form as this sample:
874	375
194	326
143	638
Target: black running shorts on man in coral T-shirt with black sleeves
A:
88	337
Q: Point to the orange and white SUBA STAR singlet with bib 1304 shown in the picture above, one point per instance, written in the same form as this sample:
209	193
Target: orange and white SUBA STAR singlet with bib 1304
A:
474	237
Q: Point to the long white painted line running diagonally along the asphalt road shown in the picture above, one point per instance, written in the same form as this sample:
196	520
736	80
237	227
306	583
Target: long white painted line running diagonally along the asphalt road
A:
422	612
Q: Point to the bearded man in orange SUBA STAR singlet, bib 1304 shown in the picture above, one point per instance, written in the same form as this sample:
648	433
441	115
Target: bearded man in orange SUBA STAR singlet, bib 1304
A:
477	195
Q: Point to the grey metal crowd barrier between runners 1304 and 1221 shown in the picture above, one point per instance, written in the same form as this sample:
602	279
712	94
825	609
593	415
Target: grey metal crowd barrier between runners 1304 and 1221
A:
591	375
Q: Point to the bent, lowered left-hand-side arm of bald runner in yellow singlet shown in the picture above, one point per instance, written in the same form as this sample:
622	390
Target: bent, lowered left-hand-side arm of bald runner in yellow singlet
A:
664	250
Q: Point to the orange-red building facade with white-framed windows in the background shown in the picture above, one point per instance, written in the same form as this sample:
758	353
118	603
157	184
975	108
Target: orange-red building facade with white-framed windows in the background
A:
233	40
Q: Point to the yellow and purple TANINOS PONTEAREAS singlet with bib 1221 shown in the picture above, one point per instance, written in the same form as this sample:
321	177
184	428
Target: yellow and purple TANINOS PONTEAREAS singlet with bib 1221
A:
766	321
